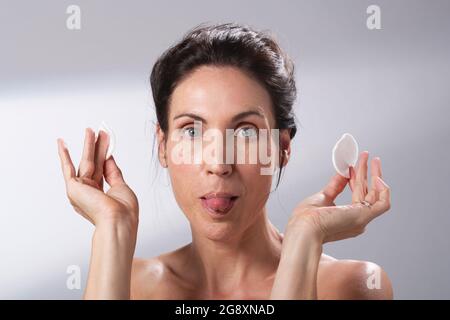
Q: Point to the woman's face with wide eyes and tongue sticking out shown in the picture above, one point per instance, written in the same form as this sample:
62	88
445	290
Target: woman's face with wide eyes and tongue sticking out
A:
218	98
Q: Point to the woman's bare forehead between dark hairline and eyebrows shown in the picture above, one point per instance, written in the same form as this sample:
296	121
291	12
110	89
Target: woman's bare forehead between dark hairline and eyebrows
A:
219	92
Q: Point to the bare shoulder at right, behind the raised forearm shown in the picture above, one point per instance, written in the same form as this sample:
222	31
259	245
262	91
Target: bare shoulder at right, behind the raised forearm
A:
352	279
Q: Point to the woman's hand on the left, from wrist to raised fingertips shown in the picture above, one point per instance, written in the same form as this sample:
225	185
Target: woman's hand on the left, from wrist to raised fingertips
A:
85	188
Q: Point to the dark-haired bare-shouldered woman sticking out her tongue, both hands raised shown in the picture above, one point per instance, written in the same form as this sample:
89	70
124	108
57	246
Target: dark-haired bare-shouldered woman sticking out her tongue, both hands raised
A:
222	77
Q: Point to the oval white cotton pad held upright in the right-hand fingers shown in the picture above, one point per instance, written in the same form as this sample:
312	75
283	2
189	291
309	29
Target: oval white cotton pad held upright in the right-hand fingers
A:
345	154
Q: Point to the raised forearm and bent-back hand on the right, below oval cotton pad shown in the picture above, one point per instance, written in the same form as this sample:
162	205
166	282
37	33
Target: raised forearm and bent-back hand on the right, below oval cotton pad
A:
317	220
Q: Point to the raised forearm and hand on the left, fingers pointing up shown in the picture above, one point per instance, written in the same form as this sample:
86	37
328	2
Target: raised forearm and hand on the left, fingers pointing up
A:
114	215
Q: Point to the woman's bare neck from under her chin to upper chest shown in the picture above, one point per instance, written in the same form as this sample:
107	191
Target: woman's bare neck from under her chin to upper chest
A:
246	258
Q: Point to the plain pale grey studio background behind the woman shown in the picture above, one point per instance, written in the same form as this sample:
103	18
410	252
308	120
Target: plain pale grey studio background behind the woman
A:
388	87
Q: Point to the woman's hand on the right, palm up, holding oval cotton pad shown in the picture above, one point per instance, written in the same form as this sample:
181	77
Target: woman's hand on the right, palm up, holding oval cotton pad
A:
329	222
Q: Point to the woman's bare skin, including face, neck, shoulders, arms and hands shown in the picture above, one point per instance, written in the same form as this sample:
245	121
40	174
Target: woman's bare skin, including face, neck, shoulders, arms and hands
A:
243	256
